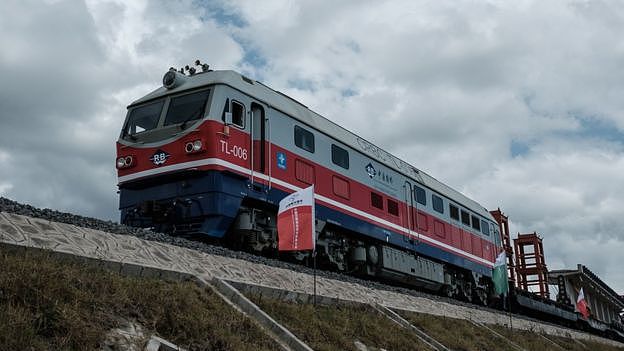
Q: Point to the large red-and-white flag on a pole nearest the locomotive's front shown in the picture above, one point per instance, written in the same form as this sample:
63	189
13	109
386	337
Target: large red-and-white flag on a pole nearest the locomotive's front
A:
295	221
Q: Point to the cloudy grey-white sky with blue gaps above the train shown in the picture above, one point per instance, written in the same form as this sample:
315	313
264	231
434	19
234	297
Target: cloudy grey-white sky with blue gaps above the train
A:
518	104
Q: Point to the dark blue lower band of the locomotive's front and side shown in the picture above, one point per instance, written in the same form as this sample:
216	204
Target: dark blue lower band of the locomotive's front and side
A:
209	201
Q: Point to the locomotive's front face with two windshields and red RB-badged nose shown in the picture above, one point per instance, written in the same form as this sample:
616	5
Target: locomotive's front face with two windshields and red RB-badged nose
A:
165	130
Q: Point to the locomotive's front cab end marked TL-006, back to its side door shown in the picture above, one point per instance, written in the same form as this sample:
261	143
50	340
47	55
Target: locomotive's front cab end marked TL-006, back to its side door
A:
174	144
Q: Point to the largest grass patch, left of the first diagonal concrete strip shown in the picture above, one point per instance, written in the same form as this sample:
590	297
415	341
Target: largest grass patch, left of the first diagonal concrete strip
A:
46	303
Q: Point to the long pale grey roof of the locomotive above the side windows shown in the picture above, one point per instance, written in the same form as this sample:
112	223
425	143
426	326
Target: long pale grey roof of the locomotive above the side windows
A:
279	101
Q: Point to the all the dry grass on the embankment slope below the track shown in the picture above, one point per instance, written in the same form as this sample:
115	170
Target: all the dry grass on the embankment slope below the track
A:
47	303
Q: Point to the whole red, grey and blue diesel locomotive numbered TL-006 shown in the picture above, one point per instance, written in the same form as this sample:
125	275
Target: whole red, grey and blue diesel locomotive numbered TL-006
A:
211	154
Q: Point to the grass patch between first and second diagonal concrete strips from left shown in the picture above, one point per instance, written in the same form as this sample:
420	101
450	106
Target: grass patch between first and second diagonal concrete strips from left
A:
338	327
